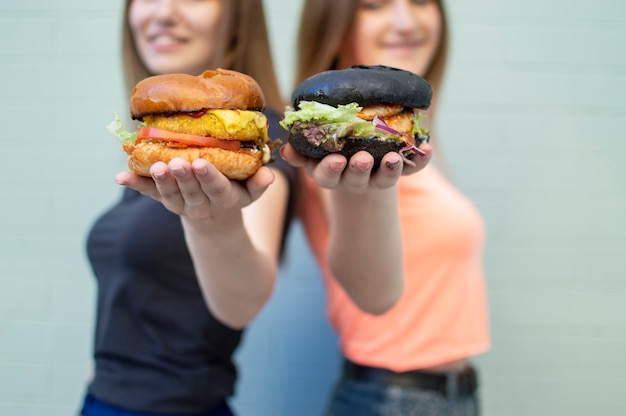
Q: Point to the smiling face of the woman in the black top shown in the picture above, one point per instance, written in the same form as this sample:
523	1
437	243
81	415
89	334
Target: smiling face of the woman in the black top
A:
175	36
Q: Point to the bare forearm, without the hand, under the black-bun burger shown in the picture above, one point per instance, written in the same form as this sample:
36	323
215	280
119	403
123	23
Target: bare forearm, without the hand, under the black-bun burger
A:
365	247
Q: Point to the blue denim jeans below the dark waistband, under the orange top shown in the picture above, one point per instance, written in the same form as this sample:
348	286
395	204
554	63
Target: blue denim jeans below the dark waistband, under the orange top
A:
352	398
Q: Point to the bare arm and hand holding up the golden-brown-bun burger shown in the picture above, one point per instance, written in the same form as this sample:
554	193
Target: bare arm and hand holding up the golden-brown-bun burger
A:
234	250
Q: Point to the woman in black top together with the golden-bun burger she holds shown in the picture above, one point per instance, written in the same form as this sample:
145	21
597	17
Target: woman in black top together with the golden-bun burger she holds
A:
168	321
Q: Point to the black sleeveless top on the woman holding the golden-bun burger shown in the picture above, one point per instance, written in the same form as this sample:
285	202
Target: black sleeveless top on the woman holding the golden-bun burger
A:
157	347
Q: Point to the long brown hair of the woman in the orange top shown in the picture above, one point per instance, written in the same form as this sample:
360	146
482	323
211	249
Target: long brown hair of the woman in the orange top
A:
324	24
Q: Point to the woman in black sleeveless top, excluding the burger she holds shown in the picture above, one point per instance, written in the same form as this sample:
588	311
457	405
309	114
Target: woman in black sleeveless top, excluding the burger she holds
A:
186	258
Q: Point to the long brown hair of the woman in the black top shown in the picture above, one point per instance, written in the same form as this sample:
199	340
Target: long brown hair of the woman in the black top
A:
243	46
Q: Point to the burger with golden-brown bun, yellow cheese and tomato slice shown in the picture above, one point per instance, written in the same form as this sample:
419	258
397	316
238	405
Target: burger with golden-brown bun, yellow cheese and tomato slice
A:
215	116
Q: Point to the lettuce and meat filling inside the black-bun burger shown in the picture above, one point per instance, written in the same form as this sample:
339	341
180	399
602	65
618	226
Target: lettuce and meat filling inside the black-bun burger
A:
329	127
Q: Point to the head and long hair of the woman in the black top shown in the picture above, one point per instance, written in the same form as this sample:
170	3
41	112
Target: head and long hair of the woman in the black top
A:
175	36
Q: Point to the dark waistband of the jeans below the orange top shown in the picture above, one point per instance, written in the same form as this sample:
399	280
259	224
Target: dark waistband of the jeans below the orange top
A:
451	384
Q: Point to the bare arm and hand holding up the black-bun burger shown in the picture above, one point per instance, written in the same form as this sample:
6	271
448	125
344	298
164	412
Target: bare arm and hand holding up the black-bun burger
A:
365	247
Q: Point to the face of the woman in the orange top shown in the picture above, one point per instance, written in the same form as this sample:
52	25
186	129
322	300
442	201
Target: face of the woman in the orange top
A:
400	33
